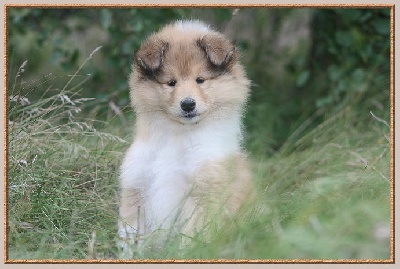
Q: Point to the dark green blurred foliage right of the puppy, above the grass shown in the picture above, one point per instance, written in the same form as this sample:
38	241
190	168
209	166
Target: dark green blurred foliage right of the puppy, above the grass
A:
345	59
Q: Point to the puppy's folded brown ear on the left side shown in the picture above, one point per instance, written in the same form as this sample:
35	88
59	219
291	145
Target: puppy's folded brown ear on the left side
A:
151	55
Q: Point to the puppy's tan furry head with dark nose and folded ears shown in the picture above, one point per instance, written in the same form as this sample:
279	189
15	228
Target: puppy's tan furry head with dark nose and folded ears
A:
187	75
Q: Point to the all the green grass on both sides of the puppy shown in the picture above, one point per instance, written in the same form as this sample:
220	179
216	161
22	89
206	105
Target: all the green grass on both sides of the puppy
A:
323	195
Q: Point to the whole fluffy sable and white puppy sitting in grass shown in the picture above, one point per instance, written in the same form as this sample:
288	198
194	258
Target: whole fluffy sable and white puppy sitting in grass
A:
186	164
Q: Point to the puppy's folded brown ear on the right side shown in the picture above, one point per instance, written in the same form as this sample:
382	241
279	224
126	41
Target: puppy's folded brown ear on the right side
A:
219	50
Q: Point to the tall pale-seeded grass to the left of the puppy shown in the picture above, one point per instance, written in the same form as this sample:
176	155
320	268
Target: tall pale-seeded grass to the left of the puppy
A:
62	175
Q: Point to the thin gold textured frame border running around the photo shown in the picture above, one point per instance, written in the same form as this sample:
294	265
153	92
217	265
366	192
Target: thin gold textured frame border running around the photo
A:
391	260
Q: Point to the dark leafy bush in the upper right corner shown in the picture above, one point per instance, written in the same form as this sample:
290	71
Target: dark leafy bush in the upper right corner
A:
348	54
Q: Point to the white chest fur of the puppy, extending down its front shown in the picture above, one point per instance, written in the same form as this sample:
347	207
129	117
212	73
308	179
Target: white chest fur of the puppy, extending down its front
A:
162	166
